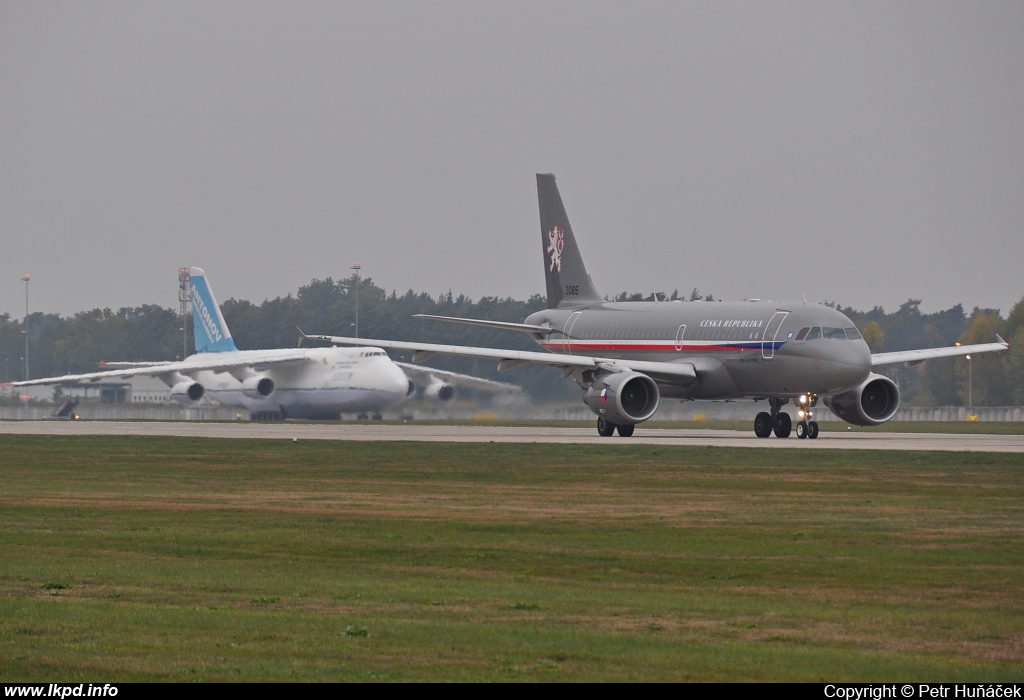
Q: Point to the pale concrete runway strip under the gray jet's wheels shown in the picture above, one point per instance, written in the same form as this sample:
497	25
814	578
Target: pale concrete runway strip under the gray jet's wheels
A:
368	431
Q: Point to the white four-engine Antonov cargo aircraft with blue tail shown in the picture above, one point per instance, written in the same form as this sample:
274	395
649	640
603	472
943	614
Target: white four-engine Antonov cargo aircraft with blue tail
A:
314	383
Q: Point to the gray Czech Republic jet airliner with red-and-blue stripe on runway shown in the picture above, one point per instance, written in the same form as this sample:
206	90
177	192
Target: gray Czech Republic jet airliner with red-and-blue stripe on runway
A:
629	356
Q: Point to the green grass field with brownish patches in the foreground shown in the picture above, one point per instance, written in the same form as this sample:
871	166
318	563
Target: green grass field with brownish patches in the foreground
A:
127	559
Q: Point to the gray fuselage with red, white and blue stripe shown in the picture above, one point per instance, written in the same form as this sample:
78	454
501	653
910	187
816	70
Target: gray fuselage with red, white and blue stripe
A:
740	349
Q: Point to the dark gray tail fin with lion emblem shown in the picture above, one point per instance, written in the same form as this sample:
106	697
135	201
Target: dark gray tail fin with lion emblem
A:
569	282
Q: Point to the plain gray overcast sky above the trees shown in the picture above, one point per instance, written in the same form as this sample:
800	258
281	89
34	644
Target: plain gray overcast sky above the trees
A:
859	152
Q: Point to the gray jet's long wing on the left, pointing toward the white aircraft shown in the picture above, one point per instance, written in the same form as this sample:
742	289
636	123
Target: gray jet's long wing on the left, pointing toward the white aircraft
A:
674	373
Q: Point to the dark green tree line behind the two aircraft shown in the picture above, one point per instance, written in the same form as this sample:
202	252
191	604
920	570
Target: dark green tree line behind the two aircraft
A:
62	345
